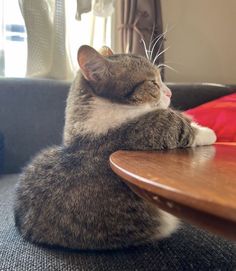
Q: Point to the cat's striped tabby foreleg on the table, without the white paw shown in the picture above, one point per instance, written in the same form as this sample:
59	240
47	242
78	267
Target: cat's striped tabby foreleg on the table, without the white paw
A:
161	129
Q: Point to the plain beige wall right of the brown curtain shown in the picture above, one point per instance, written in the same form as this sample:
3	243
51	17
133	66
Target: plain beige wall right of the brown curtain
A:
202	40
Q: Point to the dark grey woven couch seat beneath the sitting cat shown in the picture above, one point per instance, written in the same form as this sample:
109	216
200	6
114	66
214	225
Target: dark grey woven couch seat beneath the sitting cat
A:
188	249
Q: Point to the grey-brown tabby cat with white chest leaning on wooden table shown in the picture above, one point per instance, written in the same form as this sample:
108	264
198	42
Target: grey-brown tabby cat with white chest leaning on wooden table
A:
68	195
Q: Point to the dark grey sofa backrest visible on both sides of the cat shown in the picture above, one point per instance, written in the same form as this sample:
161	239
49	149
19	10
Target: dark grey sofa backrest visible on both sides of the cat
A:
32	113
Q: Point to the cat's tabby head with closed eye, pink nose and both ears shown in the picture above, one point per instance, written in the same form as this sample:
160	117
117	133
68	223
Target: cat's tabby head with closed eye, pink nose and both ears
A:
123	78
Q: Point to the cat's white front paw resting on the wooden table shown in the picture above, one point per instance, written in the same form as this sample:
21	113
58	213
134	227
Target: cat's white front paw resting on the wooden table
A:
203	135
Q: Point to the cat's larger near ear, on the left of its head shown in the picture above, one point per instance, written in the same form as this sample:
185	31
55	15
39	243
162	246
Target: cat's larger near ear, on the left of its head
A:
93	65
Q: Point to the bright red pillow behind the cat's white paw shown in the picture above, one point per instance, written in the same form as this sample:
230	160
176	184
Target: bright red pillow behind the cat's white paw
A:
219	115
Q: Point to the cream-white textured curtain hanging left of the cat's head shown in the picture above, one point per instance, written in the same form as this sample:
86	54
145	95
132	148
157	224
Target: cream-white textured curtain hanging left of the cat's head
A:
46	35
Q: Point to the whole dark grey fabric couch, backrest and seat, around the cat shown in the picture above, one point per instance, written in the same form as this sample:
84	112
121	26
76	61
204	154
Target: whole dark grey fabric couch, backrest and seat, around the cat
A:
31	118
